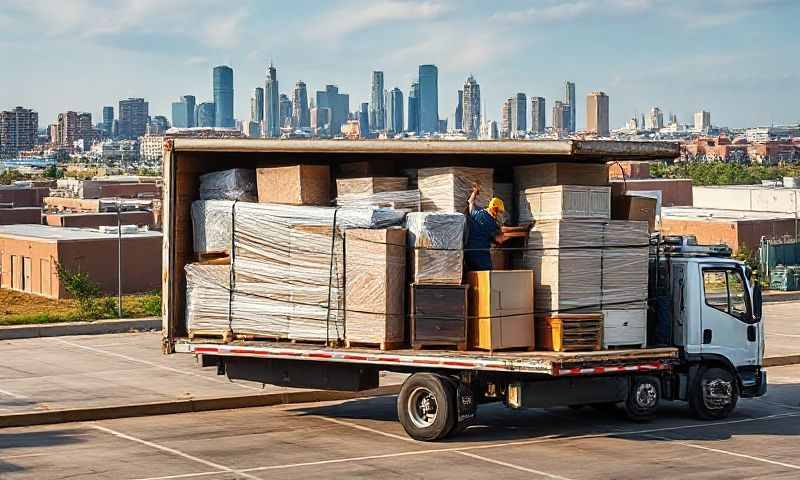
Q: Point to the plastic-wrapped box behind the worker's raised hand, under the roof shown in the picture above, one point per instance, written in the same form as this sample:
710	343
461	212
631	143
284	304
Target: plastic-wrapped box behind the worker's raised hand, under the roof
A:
447	189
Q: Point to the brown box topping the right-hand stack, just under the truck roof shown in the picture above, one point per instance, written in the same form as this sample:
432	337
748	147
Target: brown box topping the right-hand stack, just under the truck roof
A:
549	174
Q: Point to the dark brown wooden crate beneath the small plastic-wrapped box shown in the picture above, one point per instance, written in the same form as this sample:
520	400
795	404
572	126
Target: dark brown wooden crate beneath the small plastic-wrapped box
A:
439	316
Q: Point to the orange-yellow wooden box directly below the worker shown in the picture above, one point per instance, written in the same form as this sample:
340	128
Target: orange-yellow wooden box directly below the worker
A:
501	309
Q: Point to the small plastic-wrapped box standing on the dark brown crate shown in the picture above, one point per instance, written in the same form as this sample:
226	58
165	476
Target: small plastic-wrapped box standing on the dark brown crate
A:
436	243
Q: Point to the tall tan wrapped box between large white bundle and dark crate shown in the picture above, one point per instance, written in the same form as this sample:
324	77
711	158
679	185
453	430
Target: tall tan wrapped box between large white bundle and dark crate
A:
375	281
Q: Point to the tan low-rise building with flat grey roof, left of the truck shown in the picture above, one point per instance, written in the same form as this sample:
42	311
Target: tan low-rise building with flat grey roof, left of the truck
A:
30	255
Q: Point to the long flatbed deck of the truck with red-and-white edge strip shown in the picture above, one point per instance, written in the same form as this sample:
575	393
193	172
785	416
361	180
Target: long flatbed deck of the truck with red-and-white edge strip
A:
556	364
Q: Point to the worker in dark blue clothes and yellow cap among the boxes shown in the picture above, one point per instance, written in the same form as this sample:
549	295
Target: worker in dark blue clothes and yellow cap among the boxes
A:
483	227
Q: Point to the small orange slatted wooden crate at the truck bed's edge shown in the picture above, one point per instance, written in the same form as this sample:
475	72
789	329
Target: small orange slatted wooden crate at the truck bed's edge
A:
569	332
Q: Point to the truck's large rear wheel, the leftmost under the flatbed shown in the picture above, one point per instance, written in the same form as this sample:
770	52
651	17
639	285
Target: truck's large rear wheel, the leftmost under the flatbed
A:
426	407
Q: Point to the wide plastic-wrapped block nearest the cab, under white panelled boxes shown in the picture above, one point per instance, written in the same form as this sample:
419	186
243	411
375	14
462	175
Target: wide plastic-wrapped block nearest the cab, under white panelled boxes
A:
588	265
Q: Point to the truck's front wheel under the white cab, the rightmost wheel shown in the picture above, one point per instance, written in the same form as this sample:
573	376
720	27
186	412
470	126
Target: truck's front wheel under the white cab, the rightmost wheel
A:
714	394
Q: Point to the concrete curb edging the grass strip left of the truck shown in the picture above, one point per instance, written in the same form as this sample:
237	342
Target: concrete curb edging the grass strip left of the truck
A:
16	332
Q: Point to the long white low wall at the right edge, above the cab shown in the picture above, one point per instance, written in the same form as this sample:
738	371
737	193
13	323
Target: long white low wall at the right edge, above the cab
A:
762	199
